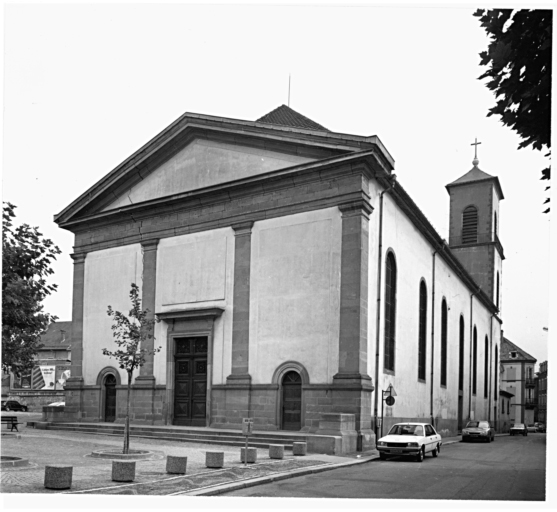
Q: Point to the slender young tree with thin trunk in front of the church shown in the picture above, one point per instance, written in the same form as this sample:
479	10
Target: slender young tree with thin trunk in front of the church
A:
129	333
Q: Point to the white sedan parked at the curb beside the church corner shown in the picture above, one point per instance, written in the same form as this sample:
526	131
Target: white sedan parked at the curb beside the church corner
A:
414	439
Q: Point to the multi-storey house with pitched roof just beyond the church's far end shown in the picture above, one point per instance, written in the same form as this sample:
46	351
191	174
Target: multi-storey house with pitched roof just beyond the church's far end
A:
518	378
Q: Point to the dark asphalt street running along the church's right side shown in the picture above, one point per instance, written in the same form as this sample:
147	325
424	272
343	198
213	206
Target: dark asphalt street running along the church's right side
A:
511	468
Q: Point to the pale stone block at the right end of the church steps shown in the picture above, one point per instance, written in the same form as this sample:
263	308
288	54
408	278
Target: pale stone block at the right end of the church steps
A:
336	435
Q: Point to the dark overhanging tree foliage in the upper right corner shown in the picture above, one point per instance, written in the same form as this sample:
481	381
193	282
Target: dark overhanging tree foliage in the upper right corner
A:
519	72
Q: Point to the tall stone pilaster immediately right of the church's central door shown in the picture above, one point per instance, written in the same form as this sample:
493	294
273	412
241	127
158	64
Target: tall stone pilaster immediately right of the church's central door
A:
241	297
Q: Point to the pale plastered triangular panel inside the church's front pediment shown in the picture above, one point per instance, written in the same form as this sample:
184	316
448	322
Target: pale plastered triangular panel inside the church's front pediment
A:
204	163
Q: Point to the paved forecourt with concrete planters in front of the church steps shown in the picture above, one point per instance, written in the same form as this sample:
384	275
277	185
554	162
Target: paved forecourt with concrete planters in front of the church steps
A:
93	475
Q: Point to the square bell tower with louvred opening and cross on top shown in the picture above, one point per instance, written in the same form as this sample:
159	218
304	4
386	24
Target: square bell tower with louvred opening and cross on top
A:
473	228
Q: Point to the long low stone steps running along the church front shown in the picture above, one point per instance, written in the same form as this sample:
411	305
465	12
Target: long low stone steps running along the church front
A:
260	439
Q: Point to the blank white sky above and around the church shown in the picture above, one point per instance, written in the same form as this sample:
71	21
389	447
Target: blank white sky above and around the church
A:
86	85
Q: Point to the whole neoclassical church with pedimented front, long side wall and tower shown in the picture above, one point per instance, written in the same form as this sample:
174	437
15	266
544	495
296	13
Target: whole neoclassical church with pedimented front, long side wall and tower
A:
292	275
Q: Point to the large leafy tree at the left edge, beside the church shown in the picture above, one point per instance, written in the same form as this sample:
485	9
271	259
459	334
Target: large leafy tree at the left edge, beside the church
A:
26	260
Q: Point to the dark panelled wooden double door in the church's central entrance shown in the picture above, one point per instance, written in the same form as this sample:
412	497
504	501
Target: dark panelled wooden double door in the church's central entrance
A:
190	380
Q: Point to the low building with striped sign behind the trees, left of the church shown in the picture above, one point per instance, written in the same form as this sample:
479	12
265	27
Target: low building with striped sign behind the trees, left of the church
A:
46	381
